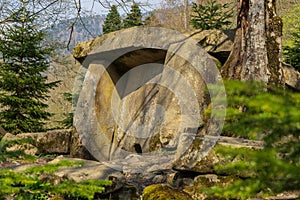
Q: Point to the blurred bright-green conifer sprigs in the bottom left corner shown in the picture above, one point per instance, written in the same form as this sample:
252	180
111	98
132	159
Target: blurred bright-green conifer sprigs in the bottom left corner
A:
30	184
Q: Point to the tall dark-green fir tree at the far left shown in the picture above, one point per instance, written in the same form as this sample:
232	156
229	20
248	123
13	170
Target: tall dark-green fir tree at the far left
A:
23	86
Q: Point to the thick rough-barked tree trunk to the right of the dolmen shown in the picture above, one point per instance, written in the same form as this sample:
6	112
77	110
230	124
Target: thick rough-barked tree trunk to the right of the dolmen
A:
256	53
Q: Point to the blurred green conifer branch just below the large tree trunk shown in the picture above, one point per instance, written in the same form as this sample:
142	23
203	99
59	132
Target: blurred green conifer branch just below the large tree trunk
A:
270	114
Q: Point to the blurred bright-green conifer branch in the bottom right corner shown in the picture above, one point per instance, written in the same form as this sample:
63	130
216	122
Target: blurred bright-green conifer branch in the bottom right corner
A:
261	173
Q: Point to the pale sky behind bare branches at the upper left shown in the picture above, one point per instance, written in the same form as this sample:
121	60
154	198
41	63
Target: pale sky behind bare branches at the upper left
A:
57	11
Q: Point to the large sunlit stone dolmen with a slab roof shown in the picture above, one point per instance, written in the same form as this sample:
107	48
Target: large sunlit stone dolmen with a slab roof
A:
142	89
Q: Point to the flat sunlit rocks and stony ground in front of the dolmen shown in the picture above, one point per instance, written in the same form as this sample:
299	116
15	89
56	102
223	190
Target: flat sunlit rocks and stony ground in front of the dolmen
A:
132	183
